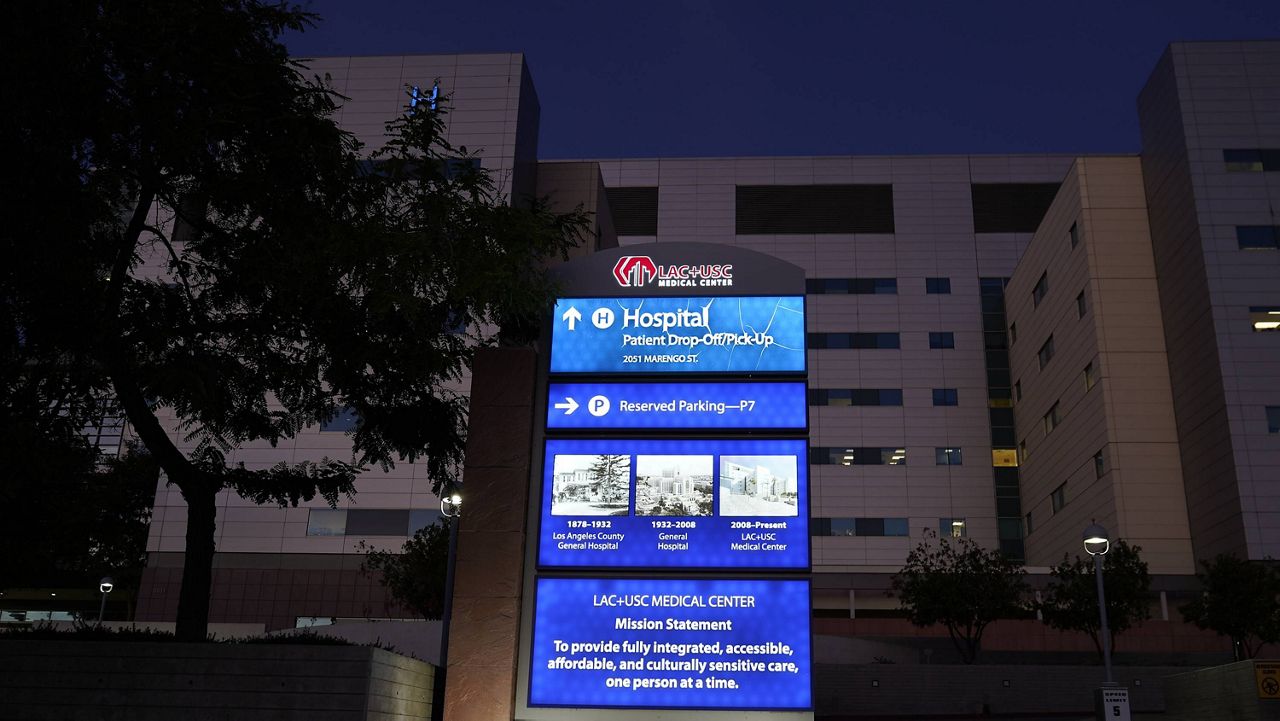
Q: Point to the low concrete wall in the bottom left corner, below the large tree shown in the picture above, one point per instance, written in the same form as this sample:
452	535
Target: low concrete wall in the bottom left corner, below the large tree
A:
161	682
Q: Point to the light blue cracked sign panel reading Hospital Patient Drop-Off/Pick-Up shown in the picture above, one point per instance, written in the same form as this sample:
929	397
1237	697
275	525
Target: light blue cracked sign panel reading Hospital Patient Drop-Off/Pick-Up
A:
728	335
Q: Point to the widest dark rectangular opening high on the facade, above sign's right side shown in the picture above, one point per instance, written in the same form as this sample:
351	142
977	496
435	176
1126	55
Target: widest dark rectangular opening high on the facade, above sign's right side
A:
815	209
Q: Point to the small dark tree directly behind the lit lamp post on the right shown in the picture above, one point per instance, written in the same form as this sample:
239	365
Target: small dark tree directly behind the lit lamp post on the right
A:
1072	599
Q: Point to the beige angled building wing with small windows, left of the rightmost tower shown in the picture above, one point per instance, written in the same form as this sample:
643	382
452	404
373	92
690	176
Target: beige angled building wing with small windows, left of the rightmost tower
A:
1126	414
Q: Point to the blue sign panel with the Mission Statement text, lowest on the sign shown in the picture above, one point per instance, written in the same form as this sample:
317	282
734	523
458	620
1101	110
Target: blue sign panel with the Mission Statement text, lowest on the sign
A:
653	644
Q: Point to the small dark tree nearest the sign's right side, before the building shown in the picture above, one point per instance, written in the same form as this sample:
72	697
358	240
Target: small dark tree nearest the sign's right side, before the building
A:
962	586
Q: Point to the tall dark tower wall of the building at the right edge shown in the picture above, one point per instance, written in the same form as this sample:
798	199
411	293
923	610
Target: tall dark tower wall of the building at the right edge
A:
1203	99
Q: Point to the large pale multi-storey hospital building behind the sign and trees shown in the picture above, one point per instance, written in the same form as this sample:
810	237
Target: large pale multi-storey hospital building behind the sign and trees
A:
932	407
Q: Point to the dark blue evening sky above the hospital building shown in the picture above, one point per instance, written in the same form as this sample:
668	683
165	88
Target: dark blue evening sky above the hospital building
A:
666	79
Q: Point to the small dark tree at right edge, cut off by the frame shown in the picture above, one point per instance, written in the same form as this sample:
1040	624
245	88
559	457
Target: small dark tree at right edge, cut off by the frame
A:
1238	601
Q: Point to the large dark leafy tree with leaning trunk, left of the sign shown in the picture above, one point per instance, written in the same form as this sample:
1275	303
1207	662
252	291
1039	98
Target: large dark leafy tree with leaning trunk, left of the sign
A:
196	238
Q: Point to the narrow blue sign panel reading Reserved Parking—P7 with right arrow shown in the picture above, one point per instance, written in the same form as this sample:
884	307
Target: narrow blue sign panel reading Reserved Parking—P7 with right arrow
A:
678	405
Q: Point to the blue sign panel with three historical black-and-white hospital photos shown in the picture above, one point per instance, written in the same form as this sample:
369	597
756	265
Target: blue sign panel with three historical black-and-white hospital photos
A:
675	504
